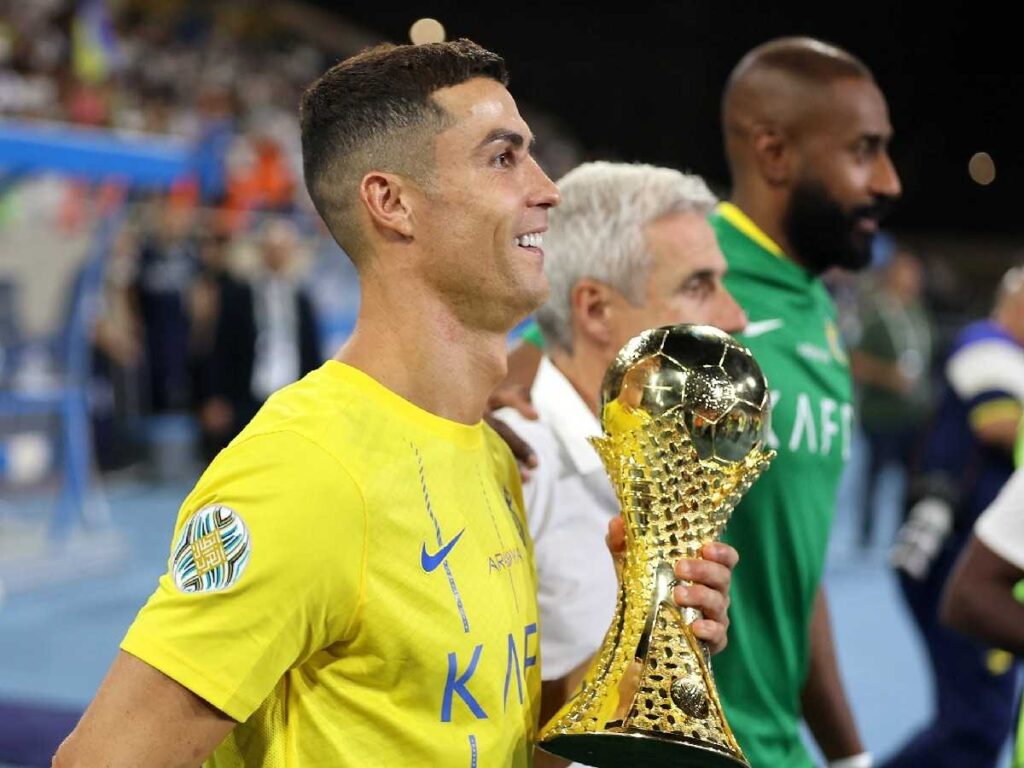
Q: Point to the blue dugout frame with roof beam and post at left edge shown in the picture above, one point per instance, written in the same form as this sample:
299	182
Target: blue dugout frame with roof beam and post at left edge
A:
97	156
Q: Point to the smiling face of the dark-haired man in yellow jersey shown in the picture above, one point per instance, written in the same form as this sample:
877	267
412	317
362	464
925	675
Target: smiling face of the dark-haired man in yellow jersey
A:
481	218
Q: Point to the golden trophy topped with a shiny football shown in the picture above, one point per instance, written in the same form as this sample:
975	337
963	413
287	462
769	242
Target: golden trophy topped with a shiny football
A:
685	410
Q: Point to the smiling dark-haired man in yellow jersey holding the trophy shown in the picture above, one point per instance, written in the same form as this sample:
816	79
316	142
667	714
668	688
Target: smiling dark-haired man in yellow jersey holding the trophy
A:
351	583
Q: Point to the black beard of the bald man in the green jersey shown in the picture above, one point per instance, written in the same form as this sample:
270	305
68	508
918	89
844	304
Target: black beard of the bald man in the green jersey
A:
823	235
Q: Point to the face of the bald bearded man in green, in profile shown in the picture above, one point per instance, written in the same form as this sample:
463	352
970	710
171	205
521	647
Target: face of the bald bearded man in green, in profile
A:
847	182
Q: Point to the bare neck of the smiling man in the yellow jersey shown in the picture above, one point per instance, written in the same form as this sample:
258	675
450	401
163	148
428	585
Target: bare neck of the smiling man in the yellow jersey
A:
413	345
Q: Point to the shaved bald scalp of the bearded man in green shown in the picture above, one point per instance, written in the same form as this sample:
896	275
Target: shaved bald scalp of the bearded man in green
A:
783	86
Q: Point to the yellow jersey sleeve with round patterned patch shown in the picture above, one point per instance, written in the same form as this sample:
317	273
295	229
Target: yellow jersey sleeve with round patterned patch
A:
266	569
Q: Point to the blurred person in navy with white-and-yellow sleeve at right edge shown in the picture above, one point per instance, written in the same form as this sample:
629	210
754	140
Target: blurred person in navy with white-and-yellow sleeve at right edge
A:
966	459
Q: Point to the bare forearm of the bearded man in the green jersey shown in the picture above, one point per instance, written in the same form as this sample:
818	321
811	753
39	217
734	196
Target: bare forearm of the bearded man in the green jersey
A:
824	699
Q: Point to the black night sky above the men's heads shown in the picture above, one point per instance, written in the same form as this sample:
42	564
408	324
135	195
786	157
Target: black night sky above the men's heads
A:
645	84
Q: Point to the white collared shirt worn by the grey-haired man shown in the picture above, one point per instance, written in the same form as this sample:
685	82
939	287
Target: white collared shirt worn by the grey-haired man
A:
570	501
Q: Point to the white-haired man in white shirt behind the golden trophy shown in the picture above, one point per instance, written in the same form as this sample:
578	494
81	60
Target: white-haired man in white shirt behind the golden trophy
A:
629	249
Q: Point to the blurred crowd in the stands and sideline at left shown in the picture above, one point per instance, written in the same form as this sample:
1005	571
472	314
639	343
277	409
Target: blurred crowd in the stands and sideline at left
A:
226	80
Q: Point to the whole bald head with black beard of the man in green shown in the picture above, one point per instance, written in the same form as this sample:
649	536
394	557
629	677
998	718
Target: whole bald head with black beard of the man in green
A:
807	134
